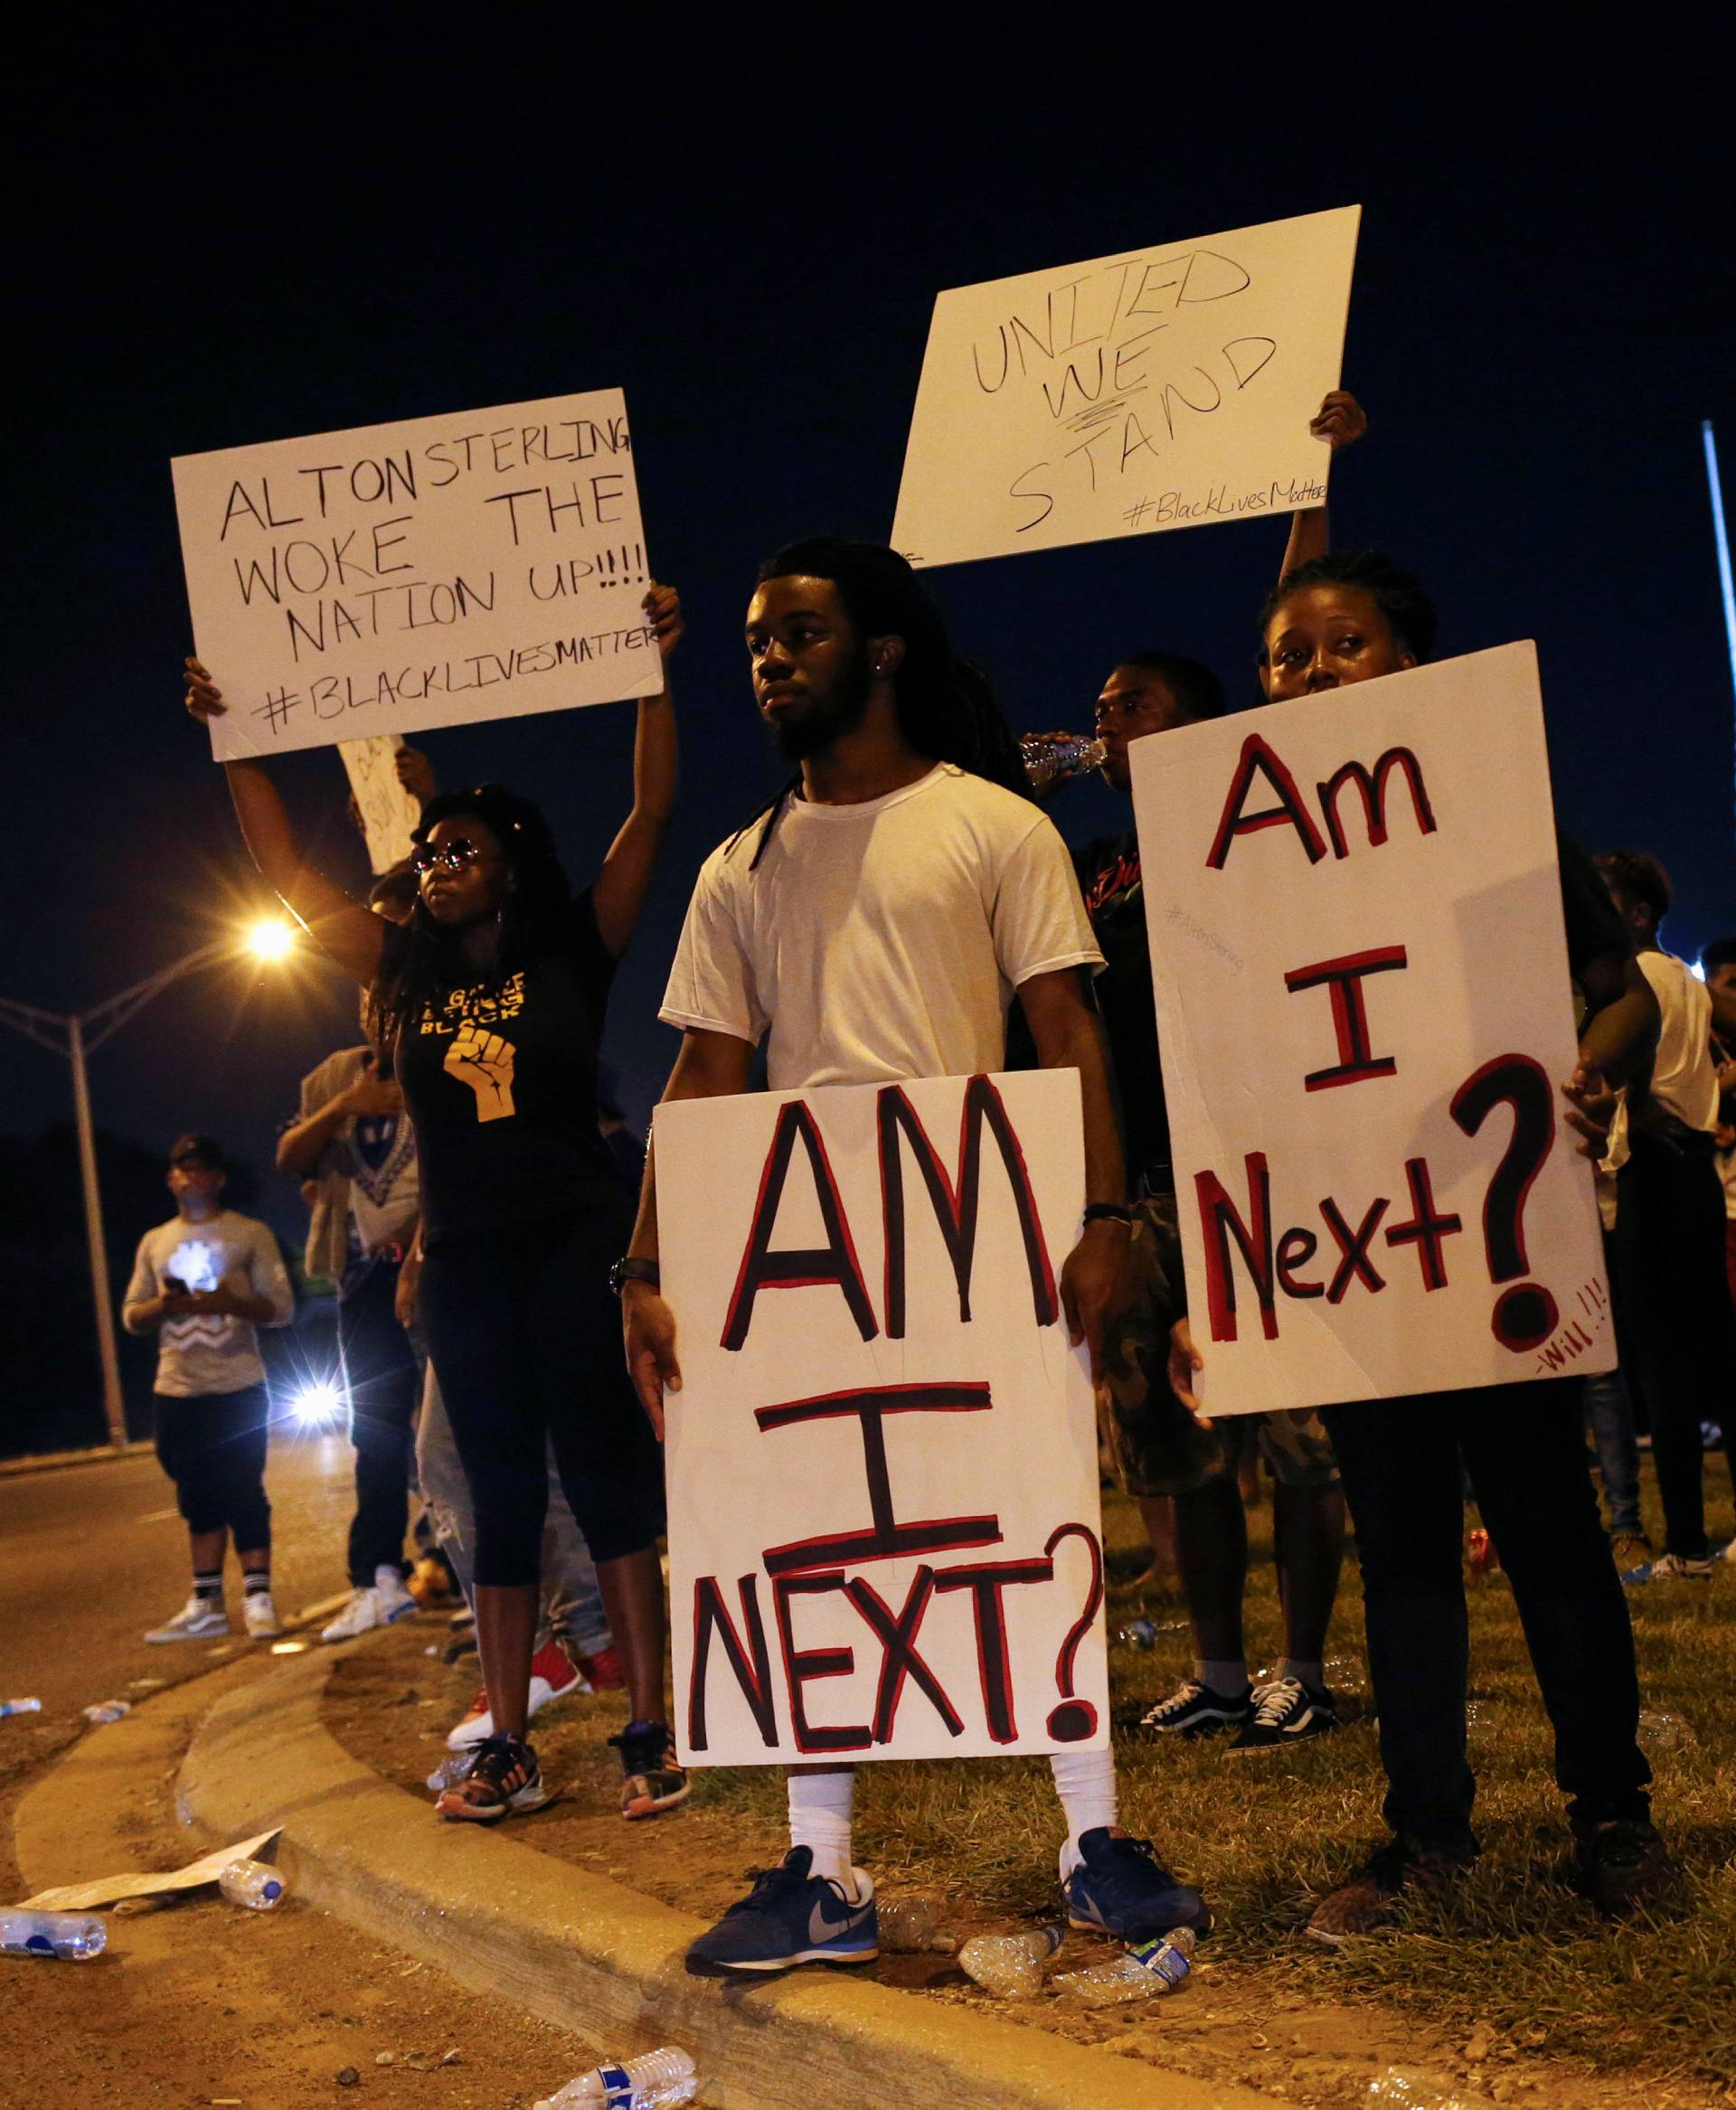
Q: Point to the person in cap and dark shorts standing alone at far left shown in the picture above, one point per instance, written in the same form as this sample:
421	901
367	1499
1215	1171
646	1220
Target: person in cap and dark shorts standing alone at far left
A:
204	1282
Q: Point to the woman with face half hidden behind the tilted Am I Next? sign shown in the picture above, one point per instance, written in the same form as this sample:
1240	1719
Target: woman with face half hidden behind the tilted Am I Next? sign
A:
1353	619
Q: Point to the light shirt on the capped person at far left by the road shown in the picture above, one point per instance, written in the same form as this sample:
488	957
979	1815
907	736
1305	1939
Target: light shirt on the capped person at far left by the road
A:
210	1354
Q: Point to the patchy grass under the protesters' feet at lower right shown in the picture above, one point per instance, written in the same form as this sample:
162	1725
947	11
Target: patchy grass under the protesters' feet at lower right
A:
1516	1949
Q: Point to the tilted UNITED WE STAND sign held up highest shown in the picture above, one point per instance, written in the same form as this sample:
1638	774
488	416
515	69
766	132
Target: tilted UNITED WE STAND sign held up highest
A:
1132	394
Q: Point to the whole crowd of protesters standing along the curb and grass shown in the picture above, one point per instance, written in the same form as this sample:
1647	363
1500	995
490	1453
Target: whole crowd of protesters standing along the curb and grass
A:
906	908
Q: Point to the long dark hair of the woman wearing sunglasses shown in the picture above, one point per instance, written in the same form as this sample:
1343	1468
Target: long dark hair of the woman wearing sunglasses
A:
423	961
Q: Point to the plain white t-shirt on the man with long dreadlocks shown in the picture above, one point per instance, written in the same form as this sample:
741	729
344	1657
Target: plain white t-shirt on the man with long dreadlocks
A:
885	940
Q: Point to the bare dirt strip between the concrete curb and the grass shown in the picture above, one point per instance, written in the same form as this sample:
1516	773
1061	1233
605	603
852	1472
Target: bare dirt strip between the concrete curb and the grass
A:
1252	2025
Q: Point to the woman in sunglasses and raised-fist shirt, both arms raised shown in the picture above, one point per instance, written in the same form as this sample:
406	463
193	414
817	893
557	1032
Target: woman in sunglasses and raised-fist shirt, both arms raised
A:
493	999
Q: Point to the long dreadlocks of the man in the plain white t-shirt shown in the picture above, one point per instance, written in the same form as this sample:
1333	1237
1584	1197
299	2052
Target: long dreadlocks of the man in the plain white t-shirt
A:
946	708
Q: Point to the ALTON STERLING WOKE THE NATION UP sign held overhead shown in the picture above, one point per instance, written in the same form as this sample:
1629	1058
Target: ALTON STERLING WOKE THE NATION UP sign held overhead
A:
417	575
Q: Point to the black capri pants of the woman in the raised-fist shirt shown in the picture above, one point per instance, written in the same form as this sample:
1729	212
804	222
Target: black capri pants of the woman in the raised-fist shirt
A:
524	1335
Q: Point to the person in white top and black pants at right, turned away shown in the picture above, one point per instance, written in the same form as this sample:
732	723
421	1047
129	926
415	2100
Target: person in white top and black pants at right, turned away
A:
1670	1229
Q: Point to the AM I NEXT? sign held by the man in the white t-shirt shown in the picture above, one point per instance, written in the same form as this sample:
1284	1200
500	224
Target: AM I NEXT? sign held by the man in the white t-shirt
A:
883	1461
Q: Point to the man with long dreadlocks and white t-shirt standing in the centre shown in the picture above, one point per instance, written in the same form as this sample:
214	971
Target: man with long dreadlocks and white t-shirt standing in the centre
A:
876	925
